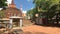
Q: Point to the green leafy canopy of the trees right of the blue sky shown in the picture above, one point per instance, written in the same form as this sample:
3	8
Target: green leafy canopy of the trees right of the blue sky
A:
47	8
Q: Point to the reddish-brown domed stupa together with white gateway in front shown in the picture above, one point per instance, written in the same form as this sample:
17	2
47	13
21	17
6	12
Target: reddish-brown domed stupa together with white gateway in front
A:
13	14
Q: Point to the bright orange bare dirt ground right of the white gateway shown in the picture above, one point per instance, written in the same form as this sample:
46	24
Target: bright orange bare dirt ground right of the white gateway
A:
34	29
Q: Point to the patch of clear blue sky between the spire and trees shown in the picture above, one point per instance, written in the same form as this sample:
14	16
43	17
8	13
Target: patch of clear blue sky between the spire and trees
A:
26	4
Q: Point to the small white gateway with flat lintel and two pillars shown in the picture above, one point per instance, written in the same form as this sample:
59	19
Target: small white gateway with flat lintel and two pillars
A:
15	21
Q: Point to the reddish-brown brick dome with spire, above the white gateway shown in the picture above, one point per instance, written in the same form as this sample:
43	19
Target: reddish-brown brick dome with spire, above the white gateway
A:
12	10
